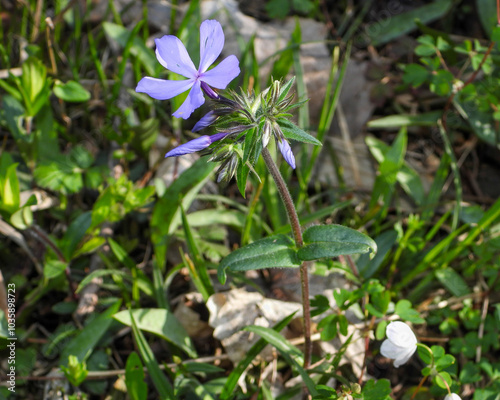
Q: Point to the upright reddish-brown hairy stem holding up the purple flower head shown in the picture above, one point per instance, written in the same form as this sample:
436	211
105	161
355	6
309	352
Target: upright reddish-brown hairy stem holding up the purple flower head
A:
297	235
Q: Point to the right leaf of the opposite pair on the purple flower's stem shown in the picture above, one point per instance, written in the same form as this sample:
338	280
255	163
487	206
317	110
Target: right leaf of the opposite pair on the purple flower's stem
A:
326	241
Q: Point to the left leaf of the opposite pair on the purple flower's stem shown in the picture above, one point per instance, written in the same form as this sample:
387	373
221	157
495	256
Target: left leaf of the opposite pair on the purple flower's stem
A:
276	251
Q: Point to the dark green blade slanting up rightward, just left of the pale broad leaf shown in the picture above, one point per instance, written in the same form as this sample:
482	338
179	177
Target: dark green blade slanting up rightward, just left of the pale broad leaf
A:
83	344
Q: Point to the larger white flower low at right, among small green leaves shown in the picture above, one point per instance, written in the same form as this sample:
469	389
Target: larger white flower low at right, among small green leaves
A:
400	344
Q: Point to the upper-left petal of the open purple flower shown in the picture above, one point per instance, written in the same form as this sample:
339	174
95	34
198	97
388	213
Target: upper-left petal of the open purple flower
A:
172	54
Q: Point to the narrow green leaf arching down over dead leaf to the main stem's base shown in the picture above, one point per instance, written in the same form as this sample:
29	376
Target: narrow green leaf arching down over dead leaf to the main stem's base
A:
289	352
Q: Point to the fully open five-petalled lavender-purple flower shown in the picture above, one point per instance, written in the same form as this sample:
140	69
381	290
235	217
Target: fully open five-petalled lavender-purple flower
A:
172	54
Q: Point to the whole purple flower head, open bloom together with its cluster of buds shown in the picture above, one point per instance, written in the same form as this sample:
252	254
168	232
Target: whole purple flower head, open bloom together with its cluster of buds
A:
244	122
